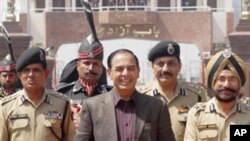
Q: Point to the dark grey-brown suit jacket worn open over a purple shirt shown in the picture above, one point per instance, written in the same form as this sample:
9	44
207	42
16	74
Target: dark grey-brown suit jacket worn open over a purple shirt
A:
98	119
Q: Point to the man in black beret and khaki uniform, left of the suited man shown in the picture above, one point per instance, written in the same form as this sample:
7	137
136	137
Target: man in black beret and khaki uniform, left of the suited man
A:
35	113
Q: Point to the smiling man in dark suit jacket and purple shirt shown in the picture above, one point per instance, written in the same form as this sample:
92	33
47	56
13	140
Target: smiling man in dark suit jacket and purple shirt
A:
123	114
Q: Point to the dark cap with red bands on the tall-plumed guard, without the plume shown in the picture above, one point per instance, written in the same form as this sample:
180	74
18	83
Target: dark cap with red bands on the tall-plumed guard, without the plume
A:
90	49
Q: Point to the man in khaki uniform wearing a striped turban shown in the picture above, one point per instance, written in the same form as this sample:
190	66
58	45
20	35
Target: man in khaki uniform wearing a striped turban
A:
226	73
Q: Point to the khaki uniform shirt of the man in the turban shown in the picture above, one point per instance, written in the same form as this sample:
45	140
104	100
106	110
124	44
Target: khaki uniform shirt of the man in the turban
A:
205	121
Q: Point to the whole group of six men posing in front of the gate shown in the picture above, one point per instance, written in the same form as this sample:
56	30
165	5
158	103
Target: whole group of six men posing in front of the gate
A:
87	109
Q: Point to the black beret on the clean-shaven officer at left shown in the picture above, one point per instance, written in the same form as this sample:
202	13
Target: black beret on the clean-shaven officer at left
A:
30	56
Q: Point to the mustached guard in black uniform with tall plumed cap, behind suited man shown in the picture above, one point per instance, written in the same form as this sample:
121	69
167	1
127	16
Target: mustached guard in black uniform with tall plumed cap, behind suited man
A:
89	68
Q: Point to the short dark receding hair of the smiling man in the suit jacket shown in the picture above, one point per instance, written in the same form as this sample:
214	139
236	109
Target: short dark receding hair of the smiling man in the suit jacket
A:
111	56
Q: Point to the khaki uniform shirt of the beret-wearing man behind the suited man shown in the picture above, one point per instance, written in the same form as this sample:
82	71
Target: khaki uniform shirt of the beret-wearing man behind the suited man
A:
185	96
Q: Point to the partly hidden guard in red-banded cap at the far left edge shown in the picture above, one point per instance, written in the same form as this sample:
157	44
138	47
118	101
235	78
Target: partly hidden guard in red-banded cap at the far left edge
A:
8	77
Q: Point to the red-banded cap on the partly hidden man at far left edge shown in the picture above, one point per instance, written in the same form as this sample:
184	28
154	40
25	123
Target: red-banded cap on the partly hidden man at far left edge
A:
7	64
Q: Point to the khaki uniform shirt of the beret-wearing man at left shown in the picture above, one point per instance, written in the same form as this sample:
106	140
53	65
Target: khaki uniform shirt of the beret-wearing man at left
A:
22	121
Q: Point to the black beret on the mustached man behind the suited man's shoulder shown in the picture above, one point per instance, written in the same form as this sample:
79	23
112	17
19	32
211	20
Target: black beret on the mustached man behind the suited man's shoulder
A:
164	48
